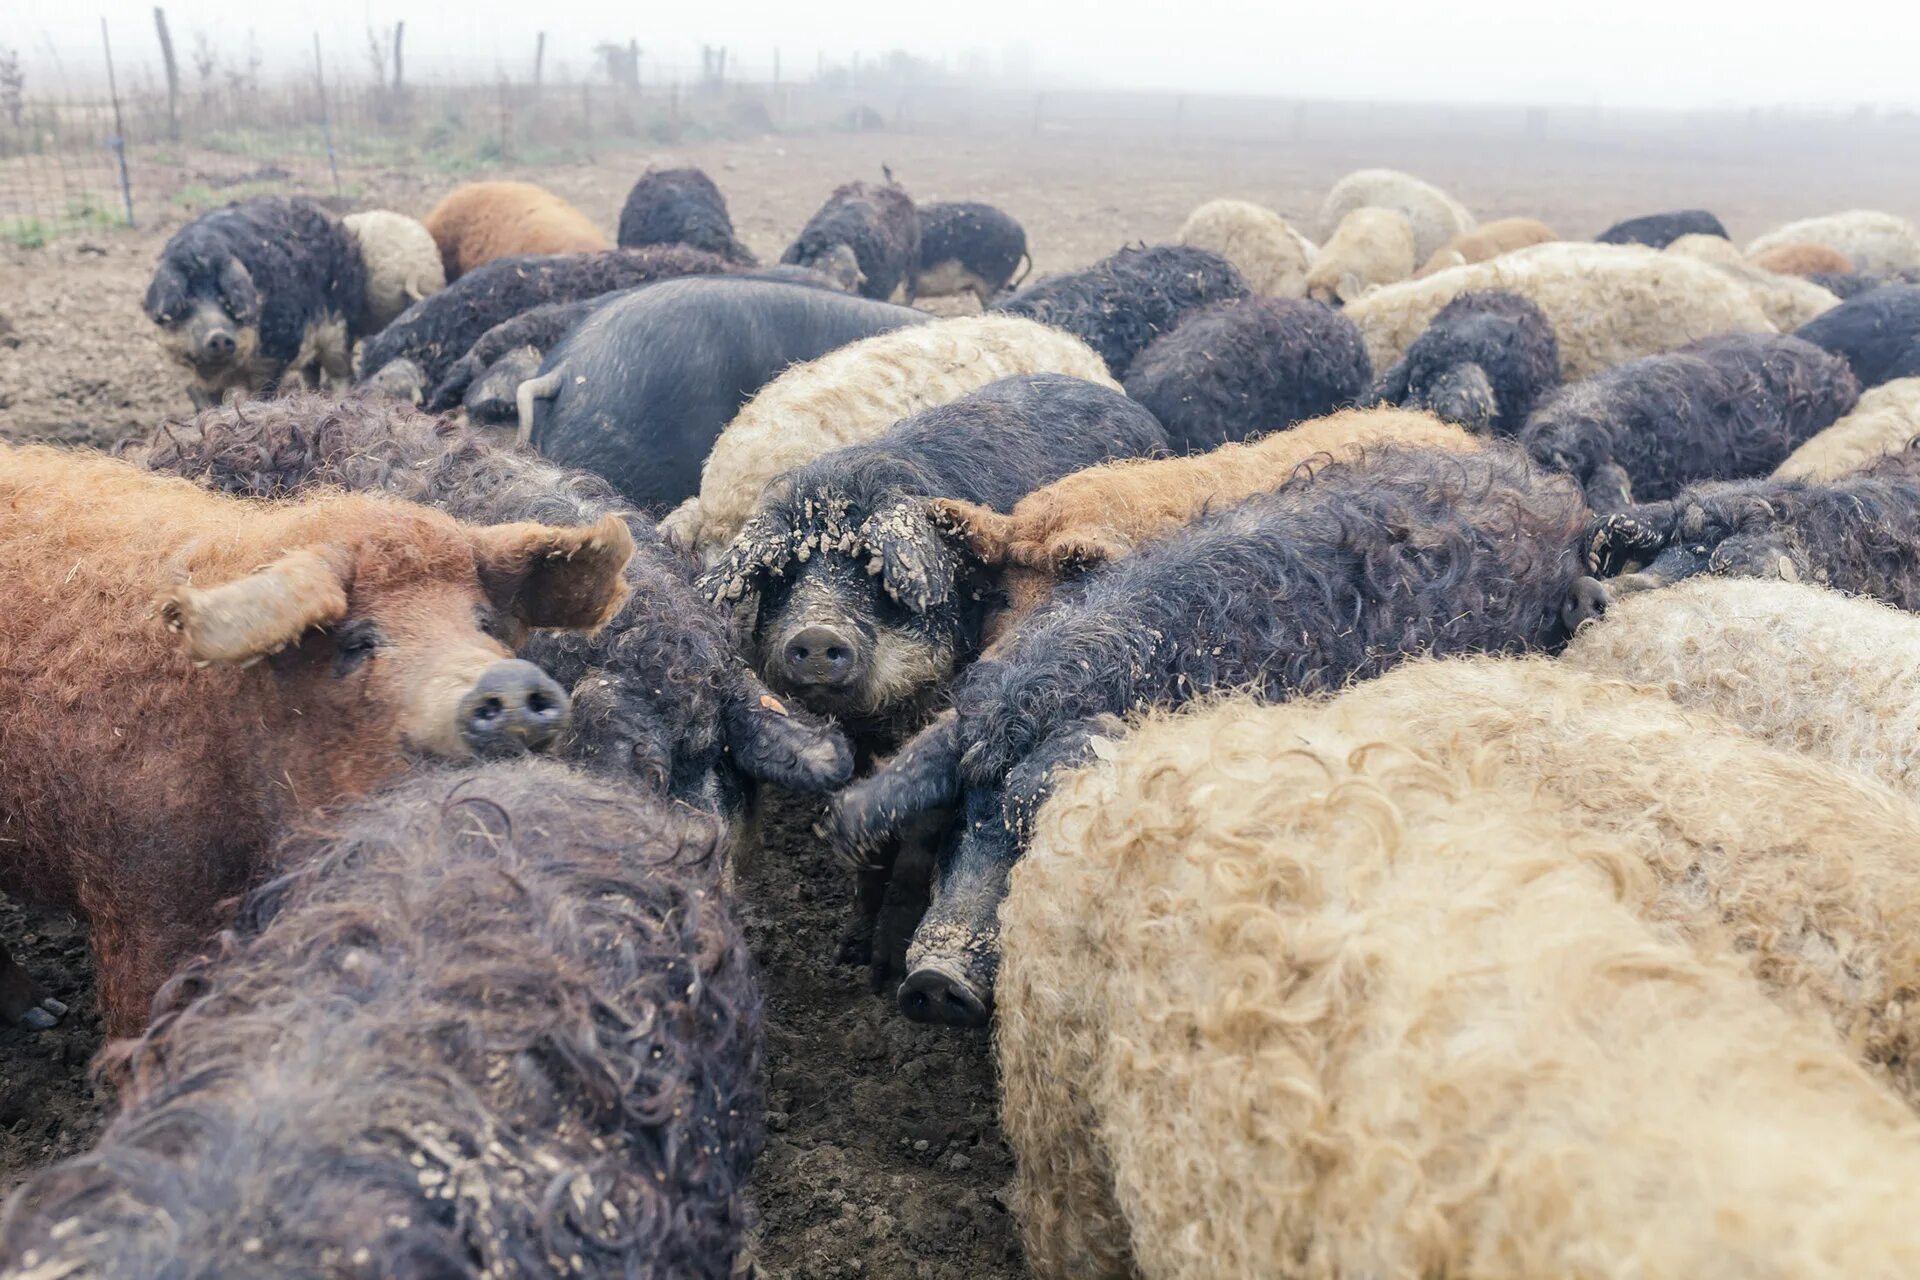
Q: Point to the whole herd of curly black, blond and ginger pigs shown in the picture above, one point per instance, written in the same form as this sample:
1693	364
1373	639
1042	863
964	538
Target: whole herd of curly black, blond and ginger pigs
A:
1410	740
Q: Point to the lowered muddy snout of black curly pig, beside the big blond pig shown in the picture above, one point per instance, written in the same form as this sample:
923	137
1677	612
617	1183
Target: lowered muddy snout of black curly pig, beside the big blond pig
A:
957	951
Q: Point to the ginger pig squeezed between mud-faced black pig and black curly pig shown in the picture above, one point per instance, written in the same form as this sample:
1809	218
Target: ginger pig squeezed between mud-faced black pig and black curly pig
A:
1103	513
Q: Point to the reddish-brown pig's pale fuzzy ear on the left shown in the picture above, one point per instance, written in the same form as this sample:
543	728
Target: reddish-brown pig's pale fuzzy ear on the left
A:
266	611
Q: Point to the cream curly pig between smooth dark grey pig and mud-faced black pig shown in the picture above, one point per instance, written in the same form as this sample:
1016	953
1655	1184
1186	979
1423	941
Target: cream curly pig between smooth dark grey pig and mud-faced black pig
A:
855	394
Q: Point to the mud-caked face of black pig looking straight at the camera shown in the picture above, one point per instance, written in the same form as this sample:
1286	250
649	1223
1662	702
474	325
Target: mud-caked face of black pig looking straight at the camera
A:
865	623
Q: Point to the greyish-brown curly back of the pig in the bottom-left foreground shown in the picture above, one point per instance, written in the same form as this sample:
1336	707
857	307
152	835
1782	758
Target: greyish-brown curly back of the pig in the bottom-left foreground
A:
496	1022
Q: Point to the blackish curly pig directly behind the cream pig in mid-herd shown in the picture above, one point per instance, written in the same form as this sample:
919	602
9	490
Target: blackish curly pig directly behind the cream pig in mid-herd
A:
1124	302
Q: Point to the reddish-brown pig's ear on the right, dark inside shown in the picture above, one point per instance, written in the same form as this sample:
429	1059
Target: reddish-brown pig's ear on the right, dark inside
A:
556	579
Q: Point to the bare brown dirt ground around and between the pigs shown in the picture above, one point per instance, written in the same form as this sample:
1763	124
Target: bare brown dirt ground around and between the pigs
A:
884	1158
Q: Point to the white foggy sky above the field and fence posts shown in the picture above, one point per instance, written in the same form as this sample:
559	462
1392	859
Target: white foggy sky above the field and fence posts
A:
1620	55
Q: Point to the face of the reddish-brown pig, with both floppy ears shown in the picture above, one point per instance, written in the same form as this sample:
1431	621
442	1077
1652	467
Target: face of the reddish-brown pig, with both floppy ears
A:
389	628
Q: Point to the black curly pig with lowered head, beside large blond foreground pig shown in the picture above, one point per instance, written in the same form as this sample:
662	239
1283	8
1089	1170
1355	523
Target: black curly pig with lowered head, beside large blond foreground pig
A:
1332	581
